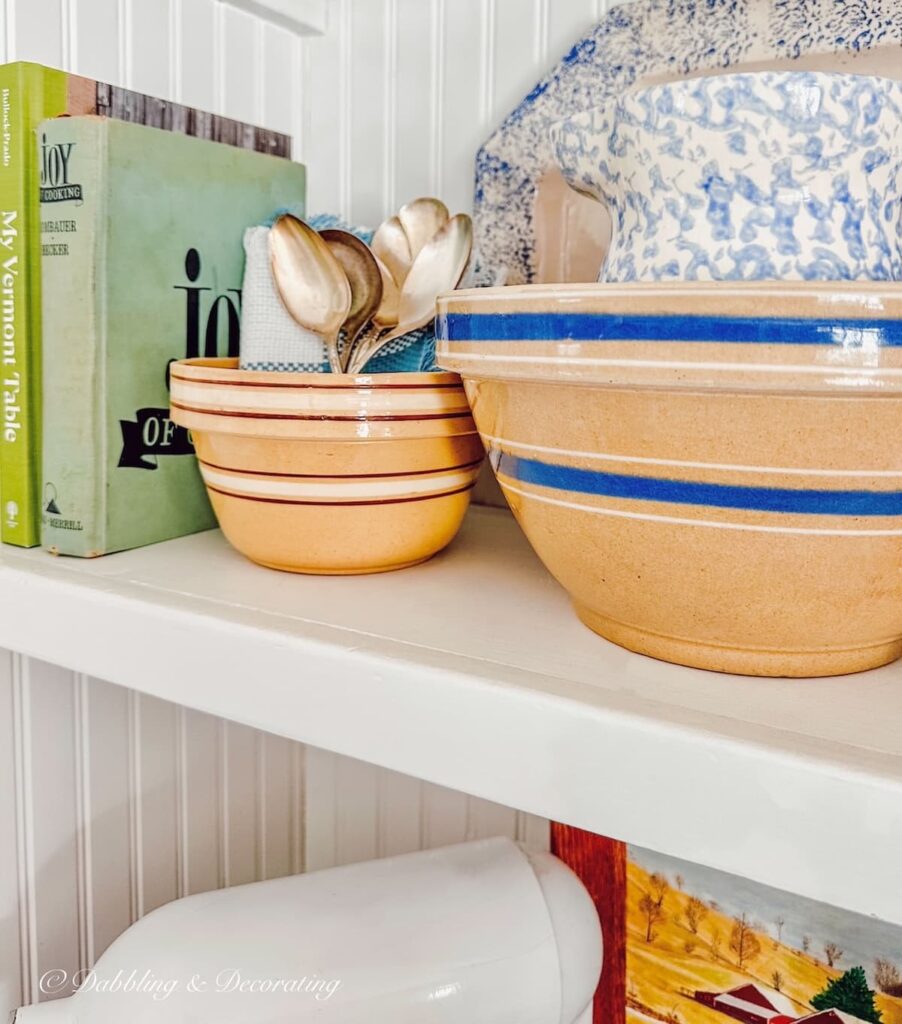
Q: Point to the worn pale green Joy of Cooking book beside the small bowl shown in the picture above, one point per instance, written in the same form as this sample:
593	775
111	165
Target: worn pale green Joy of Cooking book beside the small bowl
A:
143	264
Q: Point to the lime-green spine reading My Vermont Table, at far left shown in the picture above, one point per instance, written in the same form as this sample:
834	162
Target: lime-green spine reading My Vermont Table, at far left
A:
28	95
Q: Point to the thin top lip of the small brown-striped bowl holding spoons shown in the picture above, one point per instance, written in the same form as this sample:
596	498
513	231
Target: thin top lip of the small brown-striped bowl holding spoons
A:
226	370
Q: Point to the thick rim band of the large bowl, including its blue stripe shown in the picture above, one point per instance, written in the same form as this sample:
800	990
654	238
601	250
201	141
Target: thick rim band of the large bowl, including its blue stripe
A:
811	337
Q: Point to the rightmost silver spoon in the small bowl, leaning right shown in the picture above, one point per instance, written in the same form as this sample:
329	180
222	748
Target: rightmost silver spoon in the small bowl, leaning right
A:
439	269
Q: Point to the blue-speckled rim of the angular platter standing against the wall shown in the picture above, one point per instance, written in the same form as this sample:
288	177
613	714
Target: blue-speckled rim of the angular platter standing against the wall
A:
633	42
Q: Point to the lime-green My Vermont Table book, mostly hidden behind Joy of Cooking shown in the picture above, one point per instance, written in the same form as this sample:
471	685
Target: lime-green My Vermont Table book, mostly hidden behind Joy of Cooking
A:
29	94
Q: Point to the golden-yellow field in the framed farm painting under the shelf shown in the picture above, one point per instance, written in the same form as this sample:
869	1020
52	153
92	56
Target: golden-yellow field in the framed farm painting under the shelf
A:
665	973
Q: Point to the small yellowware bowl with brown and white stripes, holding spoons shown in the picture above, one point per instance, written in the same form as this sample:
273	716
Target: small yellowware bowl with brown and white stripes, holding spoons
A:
331	474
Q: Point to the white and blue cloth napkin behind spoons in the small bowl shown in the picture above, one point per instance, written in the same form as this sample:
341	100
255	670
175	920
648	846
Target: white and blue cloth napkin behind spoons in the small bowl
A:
272	339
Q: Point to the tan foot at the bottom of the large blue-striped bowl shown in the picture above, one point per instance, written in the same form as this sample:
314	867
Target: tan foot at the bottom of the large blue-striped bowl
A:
742	662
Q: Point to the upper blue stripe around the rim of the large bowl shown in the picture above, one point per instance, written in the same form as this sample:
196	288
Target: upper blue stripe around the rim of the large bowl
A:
850	334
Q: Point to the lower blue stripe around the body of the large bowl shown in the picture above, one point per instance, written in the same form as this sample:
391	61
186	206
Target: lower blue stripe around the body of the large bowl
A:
591	482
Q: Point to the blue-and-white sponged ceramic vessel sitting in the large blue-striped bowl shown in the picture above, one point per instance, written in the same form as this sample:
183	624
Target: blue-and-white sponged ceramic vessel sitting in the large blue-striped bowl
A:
767	177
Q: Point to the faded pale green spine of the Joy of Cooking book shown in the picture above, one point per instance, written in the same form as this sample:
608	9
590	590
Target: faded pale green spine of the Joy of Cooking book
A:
75	339
